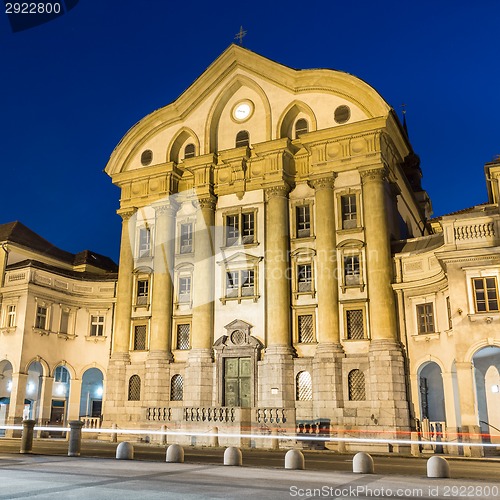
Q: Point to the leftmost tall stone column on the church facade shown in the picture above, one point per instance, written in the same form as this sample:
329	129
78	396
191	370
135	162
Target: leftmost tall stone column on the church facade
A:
114	408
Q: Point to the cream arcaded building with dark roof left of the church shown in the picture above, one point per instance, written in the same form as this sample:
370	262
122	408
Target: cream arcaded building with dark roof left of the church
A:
56	320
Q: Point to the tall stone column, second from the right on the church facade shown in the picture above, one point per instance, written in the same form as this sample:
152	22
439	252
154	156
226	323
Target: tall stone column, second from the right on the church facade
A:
327	364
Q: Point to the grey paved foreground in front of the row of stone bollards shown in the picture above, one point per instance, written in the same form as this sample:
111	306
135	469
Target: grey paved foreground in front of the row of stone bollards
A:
47	477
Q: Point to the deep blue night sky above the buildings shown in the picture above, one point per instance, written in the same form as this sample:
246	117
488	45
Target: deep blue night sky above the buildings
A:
71	88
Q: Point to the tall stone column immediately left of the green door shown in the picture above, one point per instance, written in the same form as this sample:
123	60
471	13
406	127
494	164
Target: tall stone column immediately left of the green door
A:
200	369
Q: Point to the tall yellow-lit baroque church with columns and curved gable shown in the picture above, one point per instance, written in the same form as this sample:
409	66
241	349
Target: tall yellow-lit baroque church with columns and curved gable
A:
255	288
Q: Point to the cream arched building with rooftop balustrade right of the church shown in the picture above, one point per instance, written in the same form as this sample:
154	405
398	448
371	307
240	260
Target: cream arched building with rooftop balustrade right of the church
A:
447	294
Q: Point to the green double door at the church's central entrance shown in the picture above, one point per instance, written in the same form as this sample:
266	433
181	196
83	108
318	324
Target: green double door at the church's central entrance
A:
238	382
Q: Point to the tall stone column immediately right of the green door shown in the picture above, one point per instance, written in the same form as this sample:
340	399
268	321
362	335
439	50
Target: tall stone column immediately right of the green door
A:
276	380
